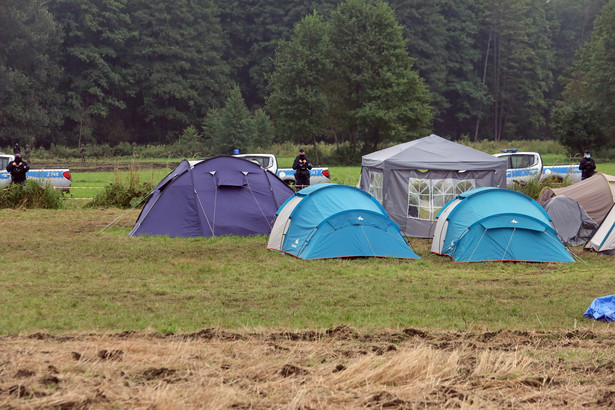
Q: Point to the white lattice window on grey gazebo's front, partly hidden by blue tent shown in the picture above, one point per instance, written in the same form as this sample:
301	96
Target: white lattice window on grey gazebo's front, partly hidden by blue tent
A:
427	196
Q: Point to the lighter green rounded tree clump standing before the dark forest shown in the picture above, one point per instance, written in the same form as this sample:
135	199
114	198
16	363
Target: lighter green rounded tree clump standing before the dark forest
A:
350	76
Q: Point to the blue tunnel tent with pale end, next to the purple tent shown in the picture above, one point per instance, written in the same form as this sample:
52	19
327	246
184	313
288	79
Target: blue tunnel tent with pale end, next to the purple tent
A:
336	221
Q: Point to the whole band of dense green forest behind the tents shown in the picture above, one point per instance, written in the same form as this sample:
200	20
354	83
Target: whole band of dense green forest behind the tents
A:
232	73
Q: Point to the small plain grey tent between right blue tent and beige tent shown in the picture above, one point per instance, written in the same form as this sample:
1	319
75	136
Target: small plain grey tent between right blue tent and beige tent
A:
571	222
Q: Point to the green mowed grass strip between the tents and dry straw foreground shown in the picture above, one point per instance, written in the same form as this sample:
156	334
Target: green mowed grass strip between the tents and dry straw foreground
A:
62	272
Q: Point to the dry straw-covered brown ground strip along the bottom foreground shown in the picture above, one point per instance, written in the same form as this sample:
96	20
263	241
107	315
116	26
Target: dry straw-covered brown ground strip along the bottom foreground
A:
340	367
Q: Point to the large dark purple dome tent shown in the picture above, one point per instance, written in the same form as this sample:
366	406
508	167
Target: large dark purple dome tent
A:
213	197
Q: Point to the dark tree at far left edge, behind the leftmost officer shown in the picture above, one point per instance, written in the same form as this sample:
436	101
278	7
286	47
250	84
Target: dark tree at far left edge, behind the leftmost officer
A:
29	72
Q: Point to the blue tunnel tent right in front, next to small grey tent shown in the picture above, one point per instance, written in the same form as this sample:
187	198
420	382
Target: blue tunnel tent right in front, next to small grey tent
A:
495	224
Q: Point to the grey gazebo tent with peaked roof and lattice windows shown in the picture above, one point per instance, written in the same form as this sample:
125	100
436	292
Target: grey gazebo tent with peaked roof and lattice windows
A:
414	180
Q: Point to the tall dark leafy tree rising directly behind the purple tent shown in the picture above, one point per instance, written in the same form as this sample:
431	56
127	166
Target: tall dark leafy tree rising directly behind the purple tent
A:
176	61
